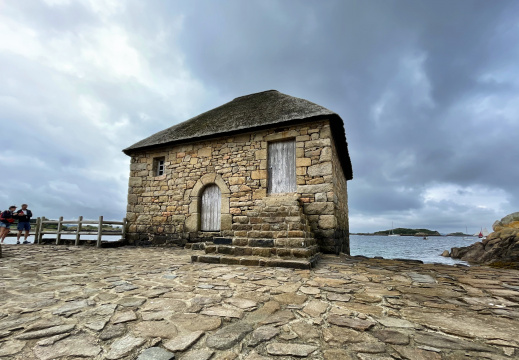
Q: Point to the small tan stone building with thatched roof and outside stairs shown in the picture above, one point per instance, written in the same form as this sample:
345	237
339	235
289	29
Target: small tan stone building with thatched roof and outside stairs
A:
263	175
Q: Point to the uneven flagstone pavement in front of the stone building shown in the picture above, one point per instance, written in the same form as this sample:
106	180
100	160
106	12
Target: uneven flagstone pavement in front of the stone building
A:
60	302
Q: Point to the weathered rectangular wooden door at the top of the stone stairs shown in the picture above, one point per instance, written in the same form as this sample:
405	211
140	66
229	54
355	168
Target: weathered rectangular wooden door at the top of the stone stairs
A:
282	166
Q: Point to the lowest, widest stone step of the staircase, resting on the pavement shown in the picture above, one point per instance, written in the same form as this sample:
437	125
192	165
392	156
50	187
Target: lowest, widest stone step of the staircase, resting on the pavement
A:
256	261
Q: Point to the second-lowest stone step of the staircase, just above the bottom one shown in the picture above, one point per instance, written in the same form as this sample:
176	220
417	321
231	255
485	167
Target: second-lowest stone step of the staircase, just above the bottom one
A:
262	251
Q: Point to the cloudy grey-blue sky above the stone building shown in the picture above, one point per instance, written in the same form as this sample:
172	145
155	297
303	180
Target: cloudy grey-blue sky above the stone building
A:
428	91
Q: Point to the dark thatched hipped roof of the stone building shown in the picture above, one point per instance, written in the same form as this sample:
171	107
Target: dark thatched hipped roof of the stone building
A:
249	113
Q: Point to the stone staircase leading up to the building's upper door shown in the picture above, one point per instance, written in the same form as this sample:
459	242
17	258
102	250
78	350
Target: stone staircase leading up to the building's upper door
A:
275	233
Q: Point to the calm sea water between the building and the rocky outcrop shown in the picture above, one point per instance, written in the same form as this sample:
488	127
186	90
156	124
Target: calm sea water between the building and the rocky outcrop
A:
408	247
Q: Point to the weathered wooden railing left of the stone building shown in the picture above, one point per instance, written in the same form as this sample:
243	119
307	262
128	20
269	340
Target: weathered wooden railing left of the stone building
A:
78	231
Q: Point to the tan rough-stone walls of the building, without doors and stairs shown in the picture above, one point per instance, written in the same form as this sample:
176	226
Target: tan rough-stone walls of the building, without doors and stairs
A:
165	209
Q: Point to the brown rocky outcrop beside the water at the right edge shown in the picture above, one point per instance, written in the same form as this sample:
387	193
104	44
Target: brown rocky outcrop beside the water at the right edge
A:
501	247
